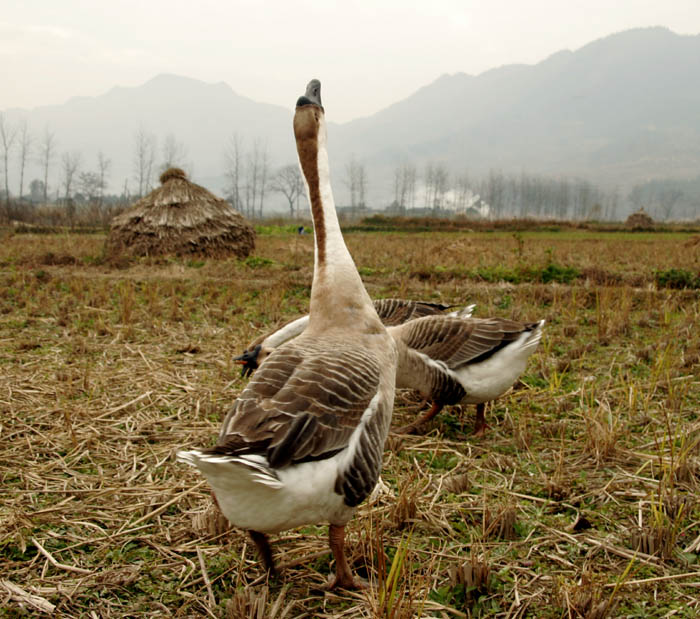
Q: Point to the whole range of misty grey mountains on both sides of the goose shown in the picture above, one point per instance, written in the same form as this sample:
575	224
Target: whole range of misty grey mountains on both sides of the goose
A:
619	111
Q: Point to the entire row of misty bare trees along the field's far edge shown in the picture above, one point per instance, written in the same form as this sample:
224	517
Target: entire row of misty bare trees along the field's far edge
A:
250	178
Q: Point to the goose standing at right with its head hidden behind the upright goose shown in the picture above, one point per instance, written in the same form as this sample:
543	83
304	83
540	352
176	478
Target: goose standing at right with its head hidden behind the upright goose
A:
468	361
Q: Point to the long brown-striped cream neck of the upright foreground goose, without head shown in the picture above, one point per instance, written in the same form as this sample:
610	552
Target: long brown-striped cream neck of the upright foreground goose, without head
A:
338	297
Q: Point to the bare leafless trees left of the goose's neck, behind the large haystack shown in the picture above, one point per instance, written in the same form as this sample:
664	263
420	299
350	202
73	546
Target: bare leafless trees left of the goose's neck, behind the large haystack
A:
81	189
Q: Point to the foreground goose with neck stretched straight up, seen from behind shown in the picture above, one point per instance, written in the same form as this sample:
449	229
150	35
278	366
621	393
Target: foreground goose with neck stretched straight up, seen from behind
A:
303	442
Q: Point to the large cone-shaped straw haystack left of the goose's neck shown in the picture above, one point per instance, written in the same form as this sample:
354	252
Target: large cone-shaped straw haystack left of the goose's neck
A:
181	218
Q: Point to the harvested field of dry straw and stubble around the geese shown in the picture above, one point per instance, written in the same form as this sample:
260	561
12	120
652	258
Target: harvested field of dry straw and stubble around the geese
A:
580	501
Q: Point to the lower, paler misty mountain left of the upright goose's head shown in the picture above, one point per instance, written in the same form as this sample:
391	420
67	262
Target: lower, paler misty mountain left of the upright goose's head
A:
201	116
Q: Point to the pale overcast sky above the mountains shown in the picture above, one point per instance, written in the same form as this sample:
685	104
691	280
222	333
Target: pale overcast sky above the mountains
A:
367	54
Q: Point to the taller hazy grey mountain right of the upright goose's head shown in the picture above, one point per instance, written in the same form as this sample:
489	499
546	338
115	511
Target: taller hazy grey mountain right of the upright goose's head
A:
616	111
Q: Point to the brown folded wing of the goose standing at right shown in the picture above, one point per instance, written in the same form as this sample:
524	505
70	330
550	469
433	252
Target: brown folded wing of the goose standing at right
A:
456	341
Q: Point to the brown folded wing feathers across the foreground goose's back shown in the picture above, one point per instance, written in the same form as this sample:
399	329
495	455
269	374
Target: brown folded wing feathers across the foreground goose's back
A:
304	403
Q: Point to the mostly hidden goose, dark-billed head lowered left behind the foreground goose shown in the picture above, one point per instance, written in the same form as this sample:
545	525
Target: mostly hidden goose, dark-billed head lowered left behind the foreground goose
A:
390	311
